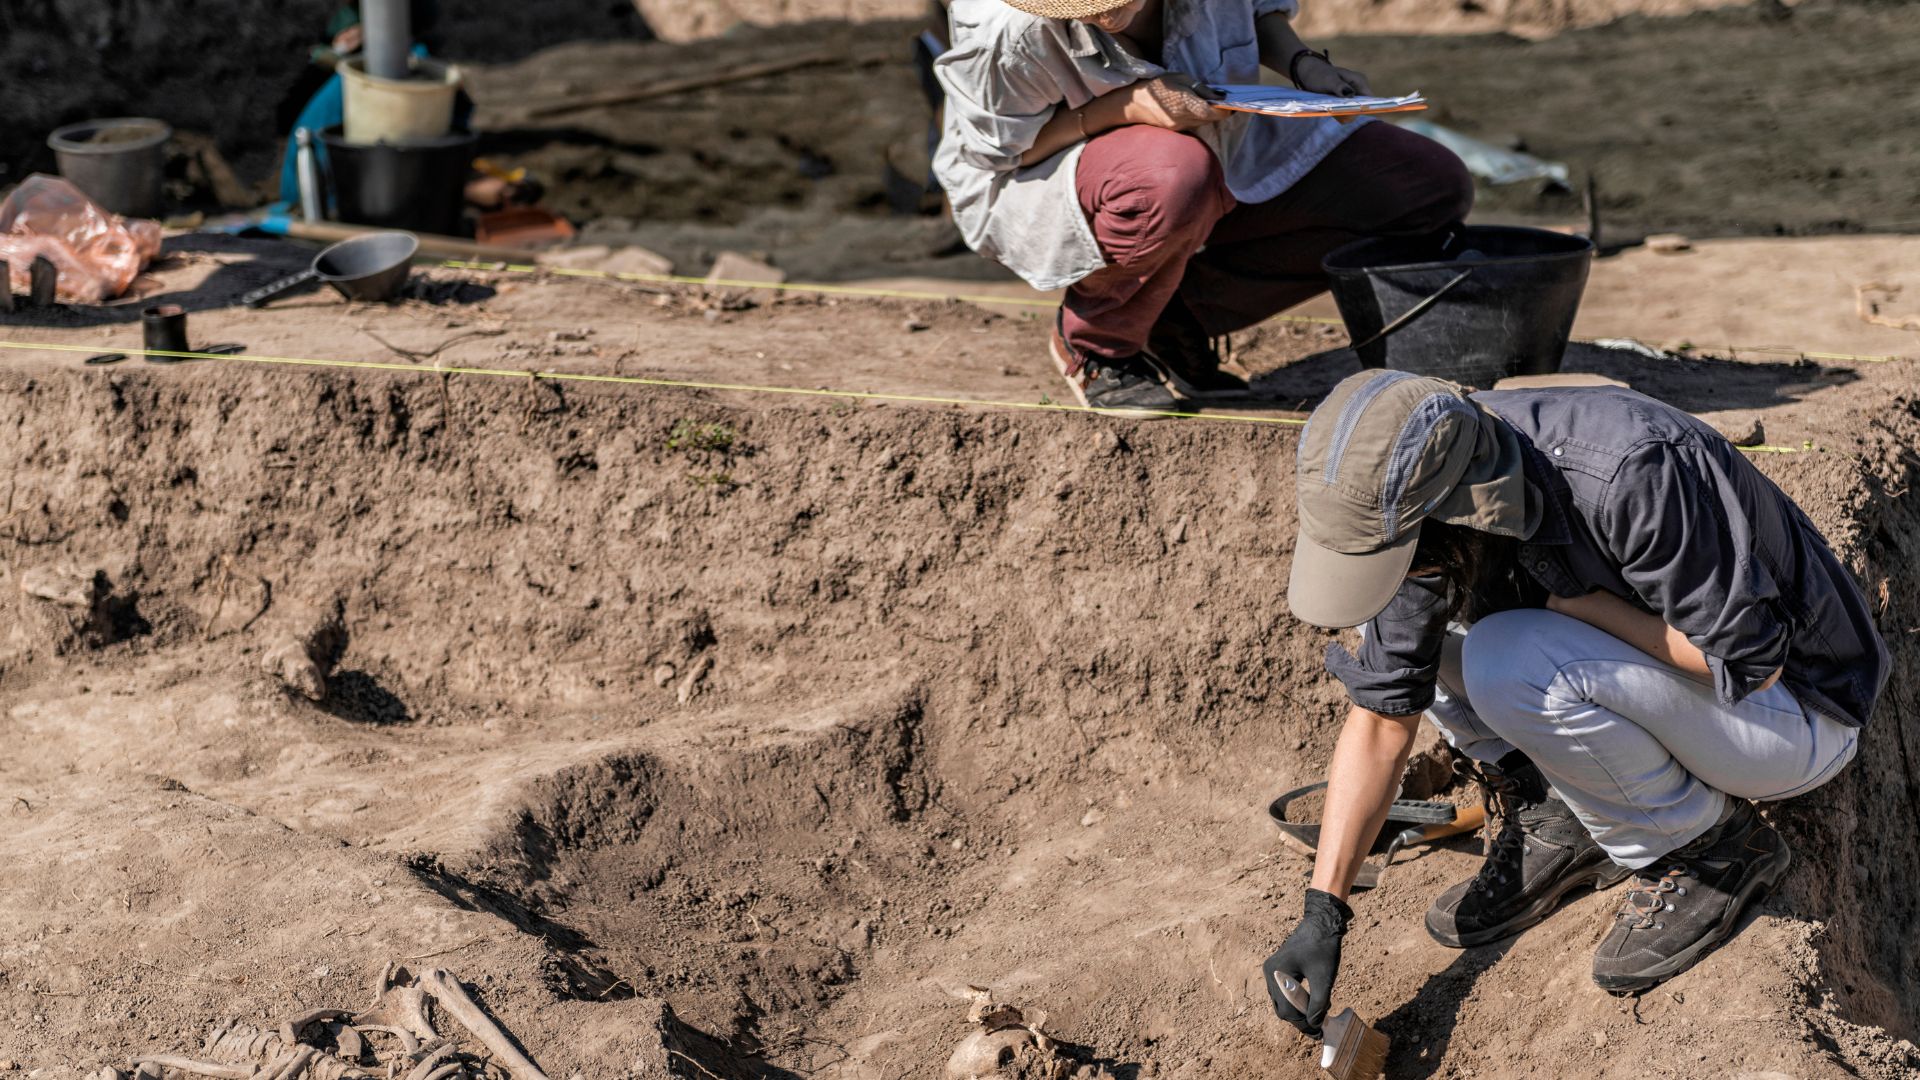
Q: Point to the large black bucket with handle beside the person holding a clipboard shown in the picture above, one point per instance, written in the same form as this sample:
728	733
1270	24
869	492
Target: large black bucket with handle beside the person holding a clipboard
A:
1474	307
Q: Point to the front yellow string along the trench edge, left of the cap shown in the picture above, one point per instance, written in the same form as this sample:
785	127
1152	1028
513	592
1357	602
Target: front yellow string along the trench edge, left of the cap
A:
665	383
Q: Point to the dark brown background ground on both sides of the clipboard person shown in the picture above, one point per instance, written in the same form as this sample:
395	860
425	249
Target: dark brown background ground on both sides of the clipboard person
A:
1662	114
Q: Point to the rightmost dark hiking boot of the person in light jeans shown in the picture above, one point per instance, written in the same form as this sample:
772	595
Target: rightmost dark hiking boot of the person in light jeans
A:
1687	904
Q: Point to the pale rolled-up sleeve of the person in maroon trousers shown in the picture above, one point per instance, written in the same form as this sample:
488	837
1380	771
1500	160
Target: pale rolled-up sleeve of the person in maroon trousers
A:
1001	99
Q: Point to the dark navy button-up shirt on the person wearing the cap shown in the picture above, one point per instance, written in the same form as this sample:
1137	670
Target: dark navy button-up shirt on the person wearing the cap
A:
1658	508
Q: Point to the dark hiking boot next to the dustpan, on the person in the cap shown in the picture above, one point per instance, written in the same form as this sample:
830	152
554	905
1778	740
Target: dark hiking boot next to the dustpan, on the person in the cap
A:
1539	854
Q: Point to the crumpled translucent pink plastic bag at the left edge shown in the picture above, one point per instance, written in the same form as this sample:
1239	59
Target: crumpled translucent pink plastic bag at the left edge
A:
97	253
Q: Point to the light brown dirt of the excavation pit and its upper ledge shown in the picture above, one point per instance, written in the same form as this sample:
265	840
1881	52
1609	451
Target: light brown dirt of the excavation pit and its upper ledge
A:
717	735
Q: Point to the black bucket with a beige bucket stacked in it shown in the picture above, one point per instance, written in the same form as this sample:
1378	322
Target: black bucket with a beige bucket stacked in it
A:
418	185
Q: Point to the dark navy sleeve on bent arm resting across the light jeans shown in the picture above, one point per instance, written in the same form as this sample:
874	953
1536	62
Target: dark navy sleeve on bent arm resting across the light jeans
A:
1687	547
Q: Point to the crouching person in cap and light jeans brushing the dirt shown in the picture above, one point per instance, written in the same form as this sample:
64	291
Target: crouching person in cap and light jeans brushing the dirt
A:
1614	614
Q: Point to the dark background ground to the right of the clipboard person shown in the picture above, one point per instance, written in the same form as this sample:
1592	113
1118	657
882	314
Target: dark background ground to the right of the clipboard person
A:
1740	122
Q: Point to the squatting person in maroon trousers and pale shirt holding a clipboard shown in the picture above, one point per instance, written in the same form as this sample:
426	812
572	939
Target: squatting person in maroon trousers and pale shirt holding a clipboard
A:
1080	151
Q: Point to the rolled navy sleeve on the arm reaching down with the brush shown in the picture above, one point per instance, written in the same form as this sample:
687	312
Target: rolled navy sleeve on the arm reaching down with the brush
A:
1399	660
